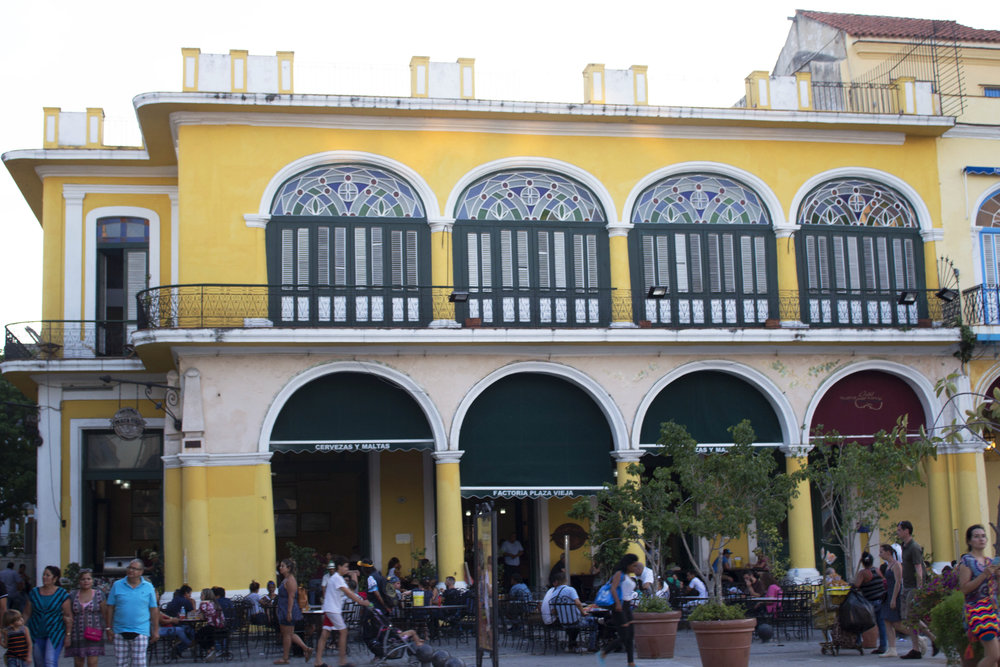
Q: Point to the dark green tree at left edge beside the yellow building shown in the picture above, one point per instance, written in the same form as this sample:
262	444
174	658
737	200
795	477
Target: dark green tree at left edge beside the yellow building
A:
19	443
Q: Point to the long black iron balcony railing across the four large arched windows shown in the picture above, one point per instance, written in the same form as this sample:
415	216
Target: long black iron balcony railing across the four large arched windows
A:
312	306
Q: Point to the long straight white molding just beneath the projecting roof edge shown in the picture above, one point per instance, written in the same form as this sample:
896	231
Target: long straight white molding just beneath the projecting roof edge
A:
628	127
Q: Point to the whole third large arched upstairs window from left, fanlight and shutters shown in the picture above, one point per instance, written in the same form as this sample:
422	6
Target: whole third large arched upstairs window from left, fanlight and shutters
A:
704	247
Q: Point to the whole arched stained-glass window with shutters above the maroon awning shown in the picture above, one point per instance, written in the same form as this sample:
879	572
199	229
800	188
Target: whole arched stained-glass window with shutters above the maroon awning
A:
860	256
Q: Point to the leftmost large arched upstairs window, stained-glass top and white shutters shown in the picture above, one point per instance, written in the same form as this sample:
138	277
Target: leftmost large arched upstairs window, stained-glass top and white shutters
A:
348	245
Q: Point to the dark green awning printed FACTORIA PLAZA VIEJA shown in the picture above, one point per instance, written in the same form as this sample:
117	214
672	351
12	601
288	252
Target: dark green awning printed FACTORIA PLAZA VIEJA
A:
534	435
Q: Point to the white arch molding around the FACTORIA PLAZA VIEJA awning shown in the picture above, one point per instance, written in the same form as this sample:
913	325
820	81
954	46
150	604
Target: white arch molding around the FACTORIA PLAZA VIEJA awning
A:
619	432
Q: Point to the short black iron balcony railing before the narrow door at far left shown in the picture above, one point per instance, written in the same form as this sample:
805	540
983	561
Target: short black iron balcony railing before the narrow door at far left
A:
67	339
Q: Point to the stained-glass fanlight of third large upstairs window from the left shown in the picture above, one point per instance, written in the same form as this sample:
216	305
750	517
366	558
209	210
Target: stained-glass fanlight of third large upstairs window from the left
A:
698	199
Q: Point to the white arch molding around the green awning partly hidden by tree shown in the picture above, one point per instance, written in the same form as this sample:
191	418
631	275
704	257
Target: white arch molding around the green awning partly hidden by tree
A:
779	403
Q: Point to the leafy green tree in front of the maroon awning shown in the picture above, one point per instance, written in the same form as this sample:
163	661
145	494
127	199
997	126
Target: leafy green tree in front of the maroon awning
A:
859	485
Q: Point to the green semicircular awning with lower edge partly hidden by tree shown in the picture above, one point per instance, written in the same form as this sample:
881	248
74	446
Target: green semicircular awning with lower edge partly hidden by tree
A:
708	403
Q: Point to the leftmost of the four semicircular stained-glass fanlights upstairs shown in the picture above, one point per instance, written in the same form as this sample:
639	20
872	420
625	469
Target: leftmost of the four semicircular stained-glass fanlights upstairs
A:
348	191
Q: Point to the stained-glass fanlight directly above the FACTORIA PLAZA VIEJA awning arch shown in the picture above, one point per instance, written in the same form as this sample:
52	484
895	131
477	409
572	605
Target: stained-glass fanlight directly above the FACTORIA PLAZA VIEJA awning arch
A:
529	195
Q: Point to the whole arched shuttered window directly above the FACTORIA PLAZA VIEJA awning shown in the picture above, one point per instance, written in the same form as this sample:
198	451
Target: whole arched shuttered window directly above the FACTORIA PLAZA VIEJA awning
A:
531	249
